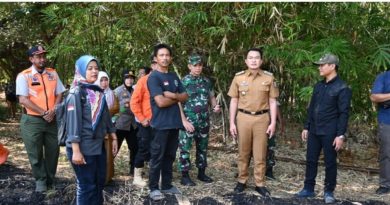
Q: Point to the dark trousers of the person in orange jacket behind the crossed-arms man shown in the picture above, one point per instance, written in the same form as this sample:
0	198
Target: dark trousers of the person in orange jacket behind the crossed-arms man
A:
144	137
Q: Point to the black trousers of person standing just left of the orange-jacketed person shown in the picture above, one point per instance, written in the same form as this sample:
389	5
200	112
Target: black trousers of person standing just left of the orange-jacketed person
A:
131	139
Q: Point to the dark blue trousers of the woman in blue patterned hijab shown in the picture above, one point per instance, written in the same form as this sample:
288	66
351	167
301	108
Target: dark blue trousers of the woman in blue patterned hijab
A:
90	178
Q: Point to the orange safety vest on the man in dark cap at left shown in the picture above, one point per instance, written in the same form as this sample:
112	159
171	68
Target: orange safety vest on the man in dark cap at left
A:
41	88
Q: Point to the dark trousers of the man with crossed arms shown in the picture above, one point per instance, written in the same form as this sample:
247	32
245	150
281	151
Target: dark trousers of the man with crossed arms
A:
162	155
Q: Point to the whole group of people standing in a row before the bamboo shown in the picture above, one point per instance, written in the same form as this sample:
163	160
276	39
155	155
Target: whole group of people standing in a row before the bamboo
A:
161	114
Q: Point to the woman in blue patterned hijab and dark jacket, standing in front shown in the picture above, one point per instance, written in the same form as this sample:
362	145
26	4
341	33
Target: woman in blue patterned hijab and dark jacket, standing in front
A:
88	121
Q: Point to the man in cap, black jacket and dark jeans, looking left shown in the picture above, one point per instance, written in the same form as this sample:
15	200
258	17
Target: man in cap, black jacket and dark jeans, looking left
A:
325	127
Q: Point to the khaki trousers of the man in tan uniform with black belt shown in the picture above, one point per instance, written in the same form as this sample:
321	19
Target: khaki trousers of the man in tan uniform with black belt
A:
252	138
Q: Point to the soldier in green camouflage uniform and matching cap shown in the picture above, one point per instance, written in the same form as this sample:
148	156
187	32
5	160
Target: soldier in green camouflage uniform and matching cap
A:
195	117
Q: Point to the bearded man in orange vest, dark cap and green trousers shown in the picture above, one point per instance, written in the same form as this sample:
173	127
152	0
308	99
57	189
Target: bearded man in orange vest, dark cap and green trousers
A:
39	90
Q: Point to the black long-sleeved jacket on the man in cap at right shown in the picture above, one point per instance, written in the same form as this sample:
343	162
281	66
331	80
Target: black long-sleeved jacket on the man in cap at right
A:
328	111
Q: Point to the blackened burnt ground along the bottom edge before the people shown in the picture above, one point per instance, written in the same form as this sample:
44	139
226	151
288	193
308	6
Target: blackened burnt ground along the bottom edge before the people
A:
17	187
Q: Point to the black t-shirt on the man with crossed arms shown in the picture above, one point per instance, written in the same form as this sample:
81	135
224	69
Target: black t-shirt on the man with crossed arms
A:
167	117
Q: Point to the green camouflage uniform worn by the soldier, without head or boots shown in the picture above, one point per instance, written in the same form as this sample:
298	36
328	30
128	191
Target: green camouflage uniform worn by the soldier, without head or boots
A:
196	110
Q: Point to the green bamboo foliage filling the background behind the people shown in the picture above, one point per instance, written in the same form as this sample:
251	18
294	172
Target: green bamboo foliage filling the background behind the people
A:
293	35
